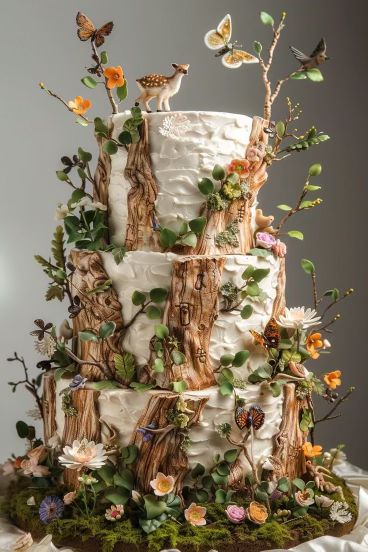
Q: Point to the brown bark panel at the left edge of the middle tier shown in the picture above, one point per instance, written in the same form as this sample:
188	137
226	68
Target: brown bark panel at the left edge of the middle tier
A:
98	307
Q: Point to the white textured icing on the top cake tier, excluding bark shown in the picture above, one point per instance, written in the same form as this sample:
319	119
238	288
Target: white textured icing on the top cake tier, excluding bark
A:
178	162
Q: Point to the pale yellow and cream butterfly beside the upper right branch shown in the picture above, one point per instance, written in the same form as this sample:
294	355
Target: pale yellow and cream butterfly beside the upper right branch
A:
219	39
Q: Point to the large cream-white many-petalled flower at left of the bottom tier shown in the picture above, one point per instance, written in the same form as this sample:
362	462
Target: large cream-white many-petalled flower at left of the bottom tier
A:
83	454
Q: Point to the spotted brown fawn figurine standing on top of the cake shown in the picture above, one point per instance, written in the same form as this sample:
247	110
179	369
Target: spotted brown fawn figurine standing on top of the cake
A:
160	87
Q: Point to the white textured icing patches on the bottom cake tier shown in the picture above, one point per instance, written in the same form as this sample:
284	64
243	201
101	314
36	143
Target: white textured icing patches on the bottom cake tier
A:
120	410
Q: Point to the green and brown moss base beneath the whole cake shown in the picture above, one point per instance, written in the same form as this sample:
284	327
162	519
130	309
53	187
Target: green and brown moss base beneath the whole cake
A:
95	534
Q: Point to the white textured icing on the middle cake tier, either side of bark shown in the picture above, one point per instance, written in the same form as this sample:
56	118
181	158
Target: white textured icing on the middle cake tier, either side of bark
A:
143	271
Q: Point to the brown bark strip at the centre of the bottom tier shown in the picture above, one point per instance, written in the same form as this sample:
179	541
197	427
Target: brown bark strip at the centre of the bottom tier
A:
163	453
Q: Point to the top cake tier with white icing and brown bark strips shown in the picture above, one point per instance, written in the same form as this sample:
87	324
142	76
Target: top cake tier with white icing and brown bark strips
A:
154	183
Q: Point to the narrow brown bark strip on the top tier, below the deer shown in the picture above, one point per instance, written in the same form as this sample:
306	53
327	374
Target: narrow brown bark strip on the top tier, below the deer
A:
142	195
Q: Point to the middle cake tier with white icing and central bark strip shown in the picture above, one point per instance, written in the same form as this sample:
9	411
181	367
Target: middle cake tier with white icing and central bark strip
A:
202	311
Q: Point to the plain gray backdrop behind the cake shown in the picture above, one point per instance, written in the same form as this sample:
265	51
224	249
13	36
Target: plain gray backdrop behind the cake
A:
38	42
